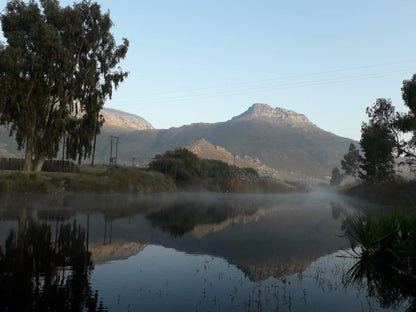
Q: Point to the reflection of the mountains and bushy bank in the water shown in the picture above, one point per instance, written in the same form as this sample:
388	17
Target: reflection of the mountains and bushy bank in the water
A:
262	235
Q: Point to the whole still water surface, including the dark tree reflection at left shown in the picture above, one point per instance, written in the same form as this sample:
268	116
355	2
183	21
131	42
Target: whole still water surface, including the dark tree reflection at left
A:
180	252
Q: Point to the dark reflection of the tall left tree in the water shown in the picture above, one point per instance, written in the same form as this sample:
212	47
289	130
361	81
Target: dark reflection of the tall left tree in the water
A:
38	274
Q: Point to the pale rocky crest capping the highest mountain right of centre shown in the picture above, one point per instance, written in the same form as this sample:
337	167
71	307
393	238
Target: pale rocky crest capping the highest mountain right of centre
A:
281	115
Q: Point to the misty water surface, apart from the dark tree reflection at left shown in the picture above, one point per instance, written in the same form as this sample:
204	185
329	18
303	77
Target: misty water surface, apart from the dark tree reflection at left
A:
206	252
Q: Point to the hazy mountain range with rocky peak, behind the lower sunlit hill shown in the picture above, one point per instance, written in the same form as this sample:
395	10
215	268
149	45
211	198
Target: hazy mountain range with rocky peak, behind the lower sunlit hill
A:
280	139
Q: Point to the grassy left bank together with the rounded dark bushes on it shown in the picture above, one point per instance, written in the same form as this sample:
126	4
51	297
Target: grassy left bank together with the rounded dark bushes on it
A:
174	171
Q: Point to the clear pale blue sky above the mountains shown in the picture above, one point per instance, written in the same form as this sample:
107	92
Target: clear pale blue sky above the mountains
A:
208	61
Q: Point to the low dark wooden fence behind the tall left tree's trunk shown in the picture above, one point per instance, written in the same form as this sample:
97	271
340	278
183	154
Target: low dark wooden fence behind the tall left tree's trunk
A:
49	165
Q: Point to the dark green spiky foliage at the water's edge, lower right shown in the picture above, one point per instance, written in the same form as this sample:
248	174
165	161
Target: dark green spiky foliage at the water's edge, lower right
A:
387	256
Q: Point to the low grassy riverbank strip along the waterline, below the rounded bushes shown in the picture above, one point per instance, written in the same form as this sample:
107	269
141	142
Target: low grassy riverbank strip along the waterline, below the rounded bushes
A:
104	179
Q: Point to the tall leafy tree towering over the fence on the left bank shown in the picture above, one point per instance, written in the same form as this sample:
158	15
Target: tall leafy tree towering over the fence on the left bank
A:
57	69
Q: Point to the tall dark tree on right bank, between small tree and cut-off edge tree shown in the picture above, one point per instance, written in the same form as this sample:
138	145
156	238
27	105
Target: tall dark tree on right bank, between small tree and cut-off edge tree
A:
378	142
